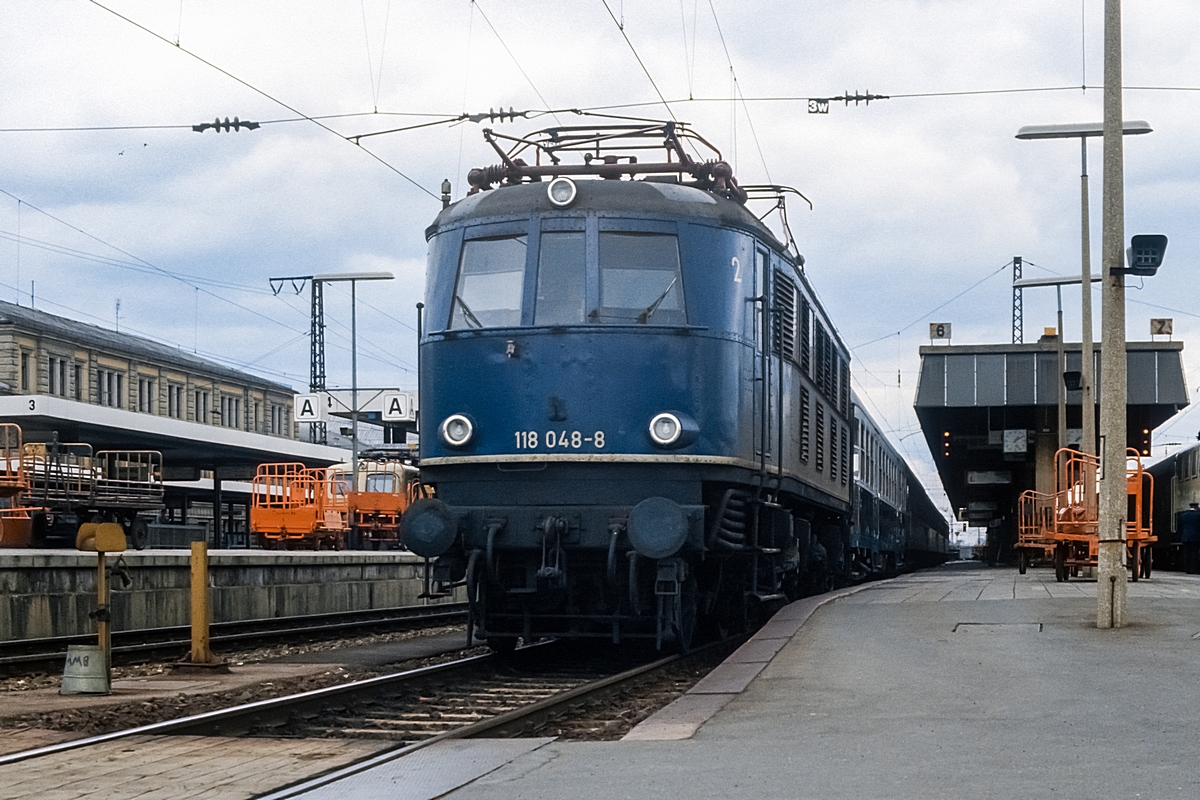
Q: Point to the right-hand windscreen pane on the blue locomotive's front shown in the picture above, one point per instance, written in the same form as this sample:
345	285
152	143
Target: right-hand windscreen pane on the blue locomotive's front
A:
640	281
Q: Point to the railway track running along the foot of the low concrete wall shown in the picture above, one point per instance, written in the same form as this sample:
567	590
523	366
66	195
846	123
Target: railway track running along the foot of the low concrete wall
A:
131	646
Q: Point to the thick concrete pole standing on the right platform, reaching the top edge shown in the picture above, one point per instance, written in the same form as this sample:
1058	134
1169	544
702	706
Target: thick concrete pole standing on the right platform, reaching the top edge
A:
1112	581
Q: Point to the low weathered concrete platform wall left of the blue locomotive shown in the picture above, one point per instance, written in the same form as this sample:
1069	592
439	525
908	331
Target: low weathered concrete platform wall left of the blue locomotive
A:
51	594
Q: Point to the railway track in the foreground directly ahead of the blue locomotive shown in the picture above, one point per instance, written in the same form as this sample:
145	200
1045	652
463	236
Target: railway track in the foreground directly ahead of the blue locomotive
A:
471	697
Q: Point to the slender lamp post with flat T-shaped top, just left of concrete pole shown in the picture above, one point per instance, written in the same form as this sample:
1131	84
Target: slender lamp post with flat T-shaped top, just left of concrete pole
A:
1082	133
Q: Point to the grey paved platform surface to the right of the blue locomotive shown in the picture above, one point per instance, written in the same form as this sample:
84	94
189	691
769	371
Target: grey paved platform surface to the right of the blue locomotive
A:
956	683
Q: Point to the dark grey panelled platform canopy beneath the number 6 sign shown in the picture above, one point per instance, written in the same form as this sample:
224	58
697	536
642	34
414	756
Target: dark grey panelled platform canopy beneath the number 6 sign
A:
991	418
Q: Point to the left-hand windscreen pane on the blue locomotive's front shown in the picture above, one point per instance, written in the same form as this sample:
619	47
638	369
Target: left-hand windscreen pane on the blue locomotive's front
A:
491	279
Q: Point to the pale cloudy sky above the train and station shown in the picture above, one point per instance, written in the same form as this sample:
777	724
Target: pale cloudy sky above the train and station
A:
916	199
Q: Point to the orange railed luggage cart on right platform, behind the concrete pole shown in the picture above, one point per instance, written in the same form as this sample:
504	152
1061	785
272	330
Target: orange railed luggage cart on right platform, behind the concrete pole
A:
1066	525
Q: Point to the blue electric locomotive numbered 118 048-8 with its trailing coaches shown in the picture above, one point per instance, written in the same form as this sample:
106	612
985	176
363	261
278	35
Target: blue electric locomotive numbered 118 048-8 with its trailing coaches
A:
637	416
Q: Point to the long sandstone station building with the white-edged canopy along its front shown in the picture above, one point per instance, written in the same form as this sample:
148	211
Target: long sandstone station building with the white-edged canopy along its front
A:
80	383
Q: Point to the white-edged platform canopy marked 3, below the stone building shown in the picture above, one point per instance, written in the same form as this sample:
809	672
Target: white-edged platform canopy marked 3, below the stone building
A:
185	447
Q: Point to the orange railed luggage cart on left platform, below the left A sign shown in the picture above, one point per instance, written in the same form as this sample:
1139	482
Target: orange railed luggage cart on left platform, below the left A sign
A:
293	506
